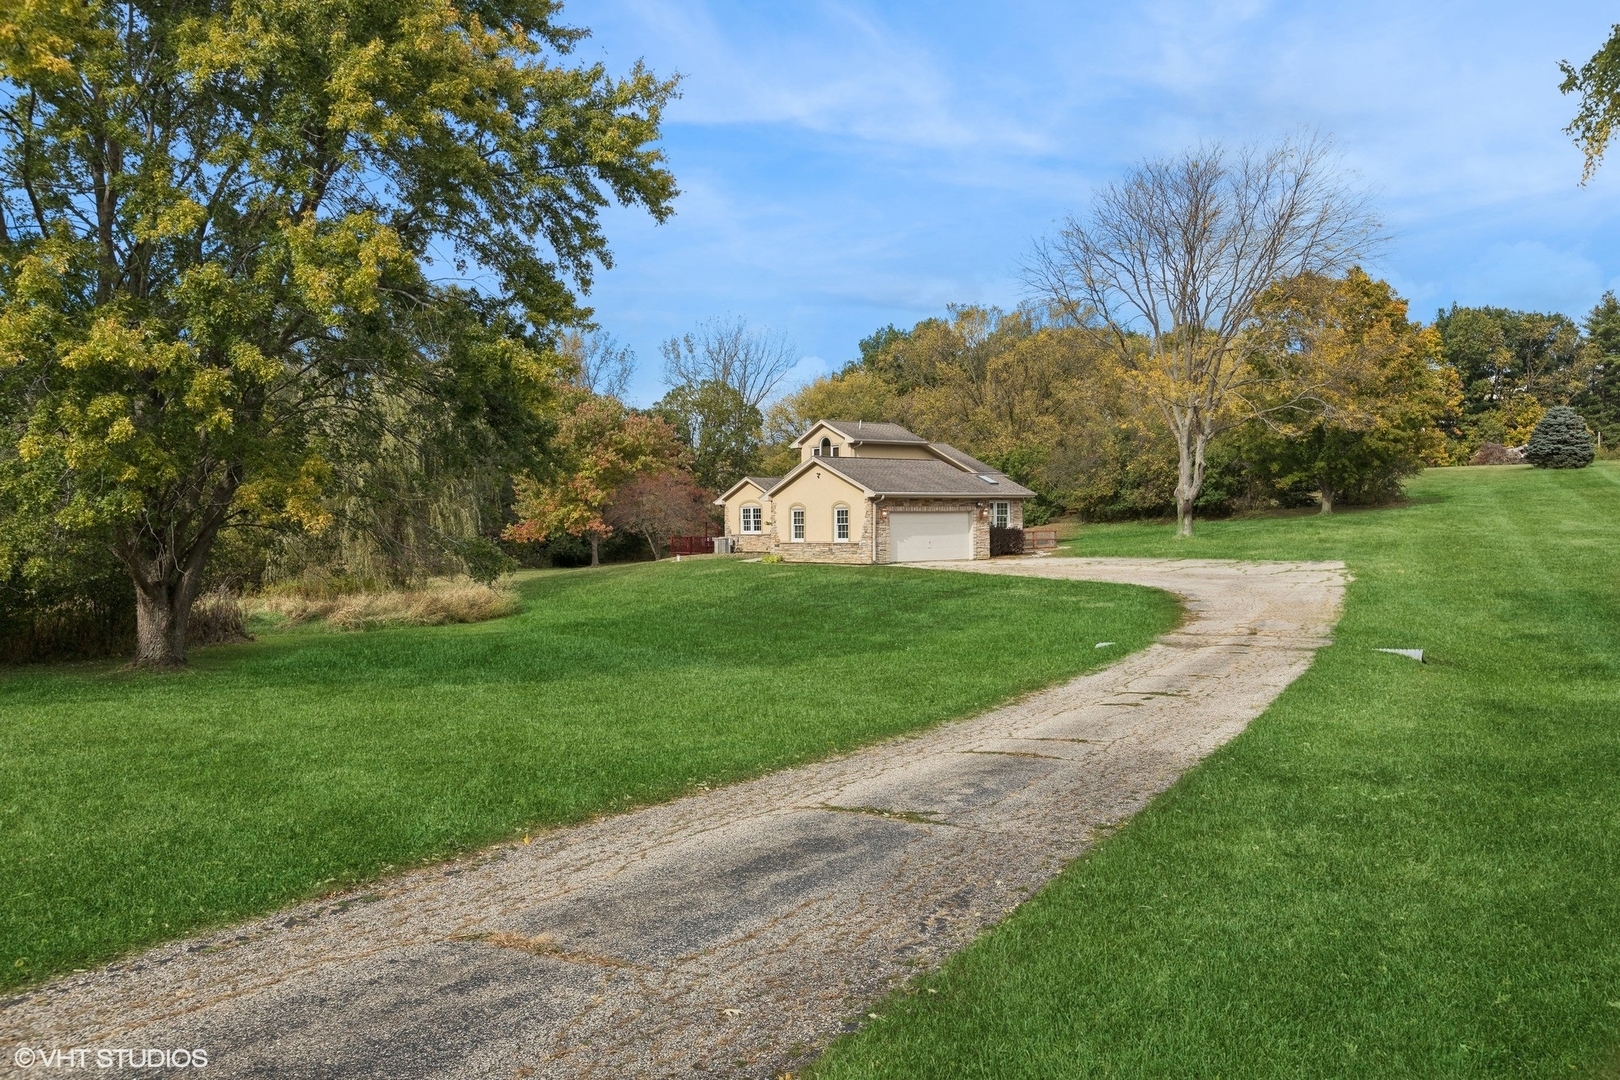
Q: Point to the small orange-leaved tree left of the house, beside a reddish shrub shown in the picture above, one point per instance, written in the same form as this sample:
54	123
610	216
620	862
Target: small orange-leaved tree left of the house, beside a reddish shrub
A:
600	446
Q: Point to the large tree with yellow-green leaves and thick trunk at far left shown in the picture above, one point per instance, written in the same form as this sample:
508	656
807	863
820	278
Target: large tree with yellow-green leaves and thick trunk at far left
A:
228	224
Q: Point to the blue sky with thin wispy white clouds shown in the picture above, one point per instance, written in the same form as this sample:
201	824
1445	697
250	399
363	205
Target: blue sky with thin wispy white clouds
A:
845	166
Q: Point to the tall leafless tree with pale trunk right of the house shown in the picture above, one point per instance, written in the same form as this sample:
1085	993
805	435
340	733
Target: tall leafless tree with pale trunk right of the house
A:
1172	260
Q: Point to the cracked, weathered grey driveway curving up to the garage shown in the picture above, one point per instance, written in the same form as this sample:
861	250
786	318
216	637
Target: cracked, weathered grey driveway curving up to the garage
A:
728	933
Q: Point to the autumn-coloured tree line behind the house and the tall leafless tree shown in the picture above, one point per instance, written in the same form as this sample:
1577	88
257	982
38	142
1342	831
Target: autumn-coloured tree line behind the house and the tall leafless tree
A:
1044	399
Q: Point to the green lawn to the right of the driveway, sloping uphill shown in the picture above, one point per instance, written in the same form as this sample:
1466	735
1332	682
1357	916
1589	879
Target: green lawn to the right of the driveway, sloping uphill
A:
1397	872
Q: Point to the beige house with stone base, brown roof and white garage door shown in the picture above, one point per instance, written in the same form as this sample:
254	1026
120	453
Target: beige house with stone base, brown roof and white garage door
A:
874	493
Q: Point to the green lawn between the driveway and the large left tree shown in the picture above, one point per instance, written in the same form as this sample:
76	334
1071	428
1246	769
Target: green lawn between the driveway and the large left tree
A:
142	807
